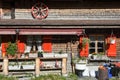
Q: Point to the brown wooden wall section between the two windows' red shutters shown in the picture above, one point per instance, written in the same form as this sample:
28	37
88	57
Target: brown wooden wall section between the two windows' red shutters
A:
67	44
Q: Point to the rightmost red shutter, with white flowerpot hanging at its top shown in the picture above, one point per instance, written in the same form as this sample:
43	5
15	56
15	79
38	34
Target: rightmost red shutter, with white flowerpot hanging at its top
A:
111	48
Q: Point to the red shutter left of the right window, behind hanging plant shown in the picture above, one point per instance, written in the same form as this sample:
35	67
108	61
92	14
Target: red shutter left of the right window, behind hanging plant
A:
84	51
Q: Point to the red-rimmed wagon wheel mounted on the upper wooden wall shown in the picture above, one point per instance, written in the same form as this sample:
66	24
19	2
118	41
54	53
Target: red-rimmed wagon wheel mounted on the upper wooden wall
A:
39	11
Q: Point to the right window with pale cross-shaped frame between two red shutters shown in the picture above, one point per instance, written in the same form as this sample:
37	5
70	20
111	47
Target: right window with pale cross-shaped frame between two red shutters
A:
96	44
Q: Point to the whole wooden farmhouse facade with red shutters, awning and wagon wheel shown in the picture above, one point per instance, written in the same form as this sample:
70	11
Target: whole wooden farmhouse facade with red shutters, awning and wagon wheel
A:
60	25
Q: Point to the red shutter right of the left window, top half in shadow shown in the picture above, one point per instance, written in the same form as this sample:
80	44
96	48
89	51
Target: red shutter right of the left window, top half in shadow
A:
47	44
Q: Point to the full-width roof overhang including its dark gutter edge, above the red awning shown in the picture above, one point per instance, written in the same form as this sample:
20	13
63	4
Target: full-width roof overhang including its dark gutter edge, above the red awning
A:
24	23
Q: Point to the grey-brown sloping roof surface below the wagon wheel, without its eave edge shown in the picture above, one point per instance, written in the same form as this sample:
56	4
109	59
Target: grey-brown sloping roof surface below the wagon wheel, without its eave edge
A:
58	22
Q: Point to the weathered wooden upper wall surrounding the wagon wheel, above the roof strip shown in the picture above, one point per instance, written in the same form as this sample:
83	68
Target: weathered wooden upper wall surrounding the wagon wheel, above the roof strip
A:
85	9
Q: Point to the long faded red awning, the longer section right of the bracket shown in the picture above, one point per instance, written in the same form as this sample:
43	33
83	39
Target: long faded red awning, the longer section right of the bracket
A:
51	31
